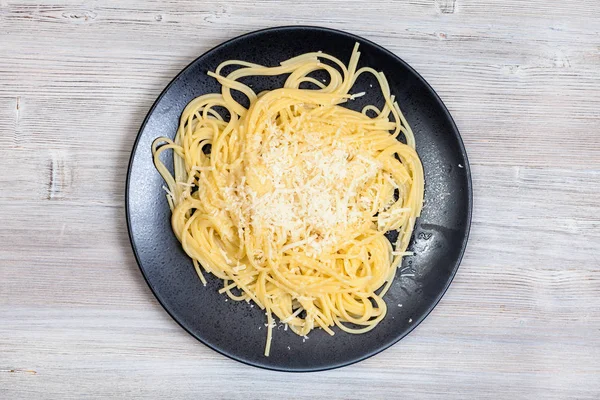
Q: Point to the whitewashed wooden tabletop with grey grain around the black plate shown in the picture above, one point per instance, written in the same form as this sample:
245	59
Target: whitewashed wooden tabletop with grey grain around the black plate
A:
522	318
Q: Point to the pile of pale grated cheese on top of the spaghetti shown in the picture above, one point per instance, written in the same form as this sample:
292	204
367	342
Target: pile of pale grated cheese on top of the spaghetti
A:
317	186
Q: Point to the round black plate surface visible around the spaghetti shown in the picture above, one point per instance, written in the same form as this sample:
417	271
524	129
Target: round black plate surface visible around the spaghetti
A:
236	329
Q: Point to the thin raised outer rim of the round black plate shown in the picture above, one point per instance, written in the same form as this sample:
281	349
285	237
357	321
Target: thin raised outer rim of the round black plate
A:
455	132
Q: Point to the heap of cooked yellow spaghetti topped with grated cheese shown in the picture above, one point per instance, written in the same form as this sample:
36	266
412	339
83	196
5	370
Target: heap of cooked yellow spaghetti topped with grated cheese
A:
290	205
